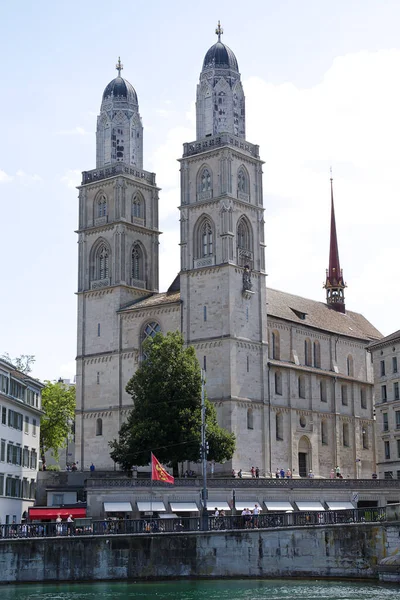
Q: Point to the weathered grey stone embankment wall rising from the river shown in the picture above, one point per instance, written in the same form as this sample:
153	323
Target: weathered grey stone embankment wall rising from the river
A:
336	551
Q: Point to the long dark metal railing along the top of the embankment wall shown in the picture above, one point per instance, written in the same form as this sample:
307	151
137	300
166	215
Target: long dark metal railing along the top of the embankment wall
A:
86	527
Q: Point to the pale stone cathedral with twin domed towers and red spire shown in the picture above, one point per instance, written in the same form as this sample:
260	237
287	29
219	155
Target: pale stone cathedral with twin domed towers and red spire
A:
291	377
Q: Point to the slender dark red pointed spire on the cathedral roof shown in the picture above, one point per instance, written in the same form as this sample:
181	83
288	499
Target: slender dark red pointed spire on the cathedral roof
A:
334	283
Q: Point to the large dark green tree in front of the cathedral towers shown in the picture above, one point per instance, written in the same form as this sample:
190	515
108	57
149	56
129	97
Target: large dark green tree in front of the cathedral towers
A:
166	417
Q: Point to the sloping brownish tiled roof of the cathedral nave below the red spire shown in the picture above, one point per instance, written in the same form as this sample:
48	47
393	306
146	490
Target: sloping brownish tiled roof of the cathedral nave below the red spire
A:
319	315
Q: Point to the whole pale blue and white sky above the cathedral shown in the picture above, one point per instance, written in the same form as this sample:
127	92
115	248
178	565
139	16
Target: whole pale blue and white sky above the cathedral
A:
322	88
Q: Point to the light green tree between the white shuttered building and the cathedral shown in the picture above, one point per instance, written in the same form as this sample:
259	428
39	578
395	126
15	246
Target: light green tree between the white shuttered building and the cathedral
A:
58	405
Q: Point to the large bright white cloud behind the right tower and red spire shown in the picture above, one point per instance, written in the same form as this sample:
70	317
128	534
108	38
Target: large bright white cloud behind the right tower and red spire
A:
350	121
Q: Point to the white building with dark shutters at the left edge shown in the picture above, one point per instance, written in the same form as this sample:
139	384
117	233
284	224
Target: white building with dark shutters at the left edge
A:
20	401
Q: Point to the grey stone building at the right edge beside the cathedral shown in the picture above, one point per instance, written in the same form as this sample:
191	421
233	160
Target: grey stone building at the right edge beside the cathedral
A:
386	359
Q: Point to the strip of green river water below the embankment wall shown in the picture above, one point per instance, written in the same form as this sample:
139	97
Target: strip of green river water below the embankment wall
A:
253	589
